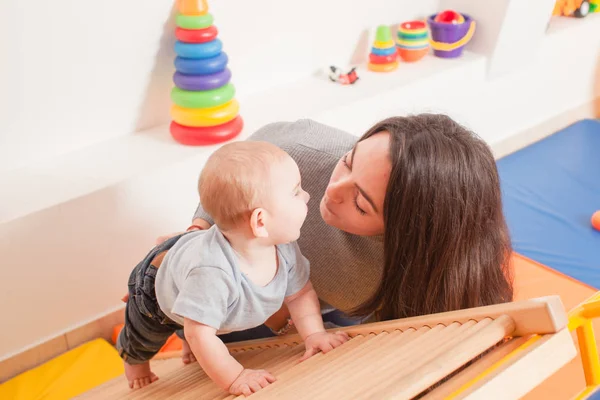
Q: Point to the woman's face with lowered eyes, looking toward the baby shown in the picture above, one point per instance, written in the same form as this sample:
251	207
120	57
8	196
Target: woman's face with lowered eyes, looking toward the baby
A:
353	200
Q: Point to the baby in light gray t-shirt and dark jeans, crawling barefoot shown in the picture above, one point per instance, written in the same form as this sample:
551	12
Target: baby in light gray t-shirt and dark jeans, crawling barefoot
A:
231	277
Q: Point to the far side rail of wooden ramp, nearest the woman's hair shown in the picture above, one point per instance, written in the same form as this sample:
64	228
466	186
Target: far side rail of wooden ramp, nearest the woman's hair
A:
535	316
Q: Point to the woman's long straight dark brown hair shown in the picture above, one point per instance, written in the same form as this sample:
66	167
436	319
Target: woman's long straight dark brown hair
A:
446	244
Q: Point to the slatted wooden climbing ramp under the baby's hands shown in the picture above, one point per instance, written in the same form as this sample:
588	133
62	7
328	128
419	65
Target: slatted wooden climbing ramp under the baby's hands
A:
396	359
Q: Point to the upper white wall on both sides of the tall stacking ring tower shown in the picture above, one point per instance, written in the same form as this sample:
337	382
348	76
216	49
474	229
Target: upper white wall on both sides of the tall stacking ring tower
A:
76	72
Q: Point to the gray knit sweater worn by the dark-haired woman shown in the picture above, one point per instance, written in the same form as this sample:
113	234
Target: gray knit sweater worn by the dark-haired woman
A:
345	269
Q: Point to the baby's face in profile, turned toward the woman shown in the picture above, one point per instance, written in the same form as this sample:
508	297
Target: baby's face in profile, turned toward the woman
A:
287	203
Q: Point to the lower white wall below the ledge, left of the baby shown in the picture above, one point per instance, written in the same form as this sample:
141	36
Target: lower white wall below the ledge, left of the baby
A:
67	265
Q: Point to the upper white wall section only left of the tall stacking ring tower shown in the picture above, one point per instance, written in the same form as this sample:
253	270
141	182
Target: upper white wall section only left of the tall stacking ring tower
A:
75	72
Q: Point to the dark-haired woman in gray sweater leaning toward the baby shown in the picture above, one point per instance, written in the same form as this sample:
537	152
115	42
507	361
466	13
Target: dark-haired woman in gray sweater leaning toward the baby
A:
407	221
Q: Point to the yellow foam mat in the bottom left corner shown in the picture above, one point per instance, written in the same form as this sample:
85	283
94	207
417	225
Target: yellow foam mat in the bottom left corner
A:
67	375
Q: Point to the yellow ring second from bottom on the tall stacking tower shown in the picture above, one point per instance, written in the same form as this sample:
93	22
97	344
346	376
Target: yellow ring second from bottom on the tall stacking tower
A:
204	117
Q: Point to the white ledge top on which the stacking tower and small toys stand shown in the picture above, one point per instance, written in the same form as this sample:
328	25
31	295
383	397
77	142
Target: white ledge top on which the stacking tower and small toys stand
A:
79	173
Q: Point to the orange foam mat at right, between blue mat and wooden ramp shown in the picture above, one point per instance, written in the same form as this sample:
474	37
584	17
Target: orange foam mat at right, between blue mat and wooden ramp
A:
533	279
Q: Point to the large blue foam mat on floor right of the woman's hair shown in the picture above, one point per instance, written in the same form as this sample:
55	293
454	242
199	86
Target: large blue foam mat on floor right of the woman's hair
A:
550	191
